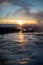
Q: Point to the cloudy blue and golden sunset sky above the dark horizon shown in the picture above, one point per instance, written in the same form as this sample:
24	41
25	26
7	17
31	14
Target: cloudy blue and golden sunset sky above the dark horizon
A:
26	10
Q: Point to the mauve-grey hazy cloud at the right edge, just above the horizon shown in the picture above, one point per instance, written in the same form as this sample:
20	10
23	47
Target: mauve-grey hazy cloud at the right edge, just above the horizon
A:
38	16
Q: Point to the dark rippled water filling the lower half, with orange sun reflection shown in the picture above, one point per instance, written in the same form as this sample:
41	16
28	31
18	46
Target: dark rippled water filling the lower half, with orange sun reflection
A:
21	49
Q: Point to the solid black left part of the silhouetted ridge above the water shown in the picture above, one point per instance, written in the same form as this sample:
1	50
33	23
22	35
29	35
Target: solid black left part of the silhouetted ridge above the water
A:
8	29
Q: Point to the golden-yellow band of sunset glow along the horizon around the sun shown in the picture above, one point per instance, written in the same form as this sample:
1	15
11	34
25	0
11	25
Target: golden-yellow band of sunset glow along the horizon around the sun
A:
19	22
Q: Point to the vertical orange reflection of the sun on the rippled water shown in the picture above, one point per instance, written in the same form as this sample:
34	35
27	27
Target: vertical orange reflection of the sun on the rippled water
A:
21	43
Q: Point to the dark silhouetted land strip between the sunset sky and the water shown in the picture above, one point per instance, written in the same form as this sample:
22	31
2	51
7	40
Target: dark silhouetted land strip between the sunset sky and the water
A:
7	28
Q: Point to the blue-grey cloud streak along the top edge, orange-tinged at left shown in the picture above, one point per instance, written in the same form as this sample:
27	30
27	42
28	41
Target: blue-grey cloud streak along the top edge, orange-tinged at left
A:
22	3
